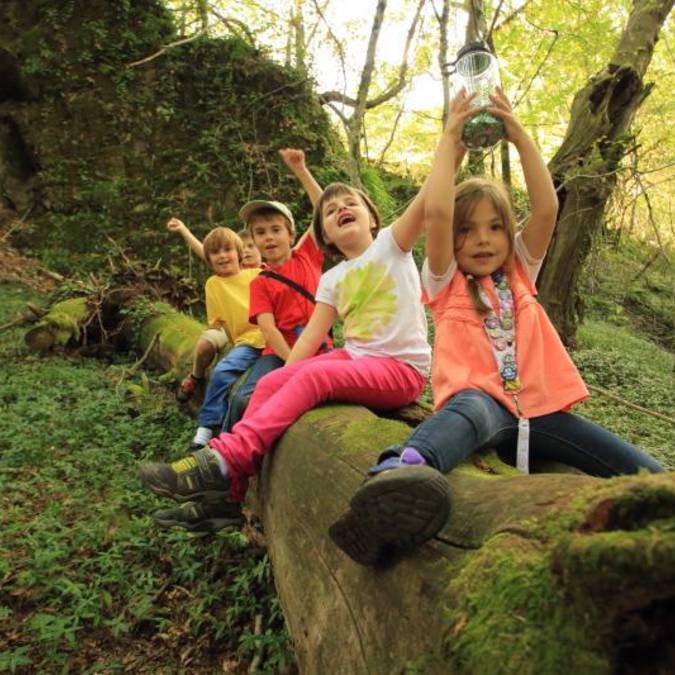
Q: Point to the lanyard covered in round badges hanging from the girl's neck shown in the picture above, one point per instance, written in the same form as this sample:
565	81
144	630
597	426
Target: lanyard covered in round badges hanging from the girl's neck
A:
501	331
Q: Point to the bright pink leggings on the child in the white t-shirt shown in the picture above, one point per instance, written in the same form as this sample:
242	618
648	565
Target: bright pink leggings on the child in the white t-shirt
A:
283	395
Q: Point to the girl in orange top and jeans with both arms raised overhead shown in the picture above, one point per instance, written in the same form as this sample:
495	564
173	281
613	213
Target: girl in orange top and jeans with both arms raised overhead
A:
501	377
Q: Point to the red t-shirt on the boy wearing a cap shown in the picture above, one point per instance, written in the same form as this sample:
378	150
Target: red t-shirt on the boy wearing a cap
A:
291	310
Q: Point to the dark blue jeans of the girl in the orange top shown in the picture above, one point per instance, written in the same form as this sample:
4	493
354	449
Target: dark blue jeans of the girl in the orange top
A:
472	420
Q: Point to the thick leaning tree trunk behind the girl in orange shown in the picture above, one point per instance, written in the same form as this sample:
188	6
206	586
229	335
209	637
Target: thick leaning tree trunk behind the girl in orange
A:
584	168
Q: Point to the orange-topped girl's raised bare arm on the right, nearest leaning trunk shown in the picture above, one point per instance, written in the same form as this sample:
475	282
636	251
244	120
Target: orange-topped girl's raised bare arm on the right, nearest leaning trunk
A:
543	199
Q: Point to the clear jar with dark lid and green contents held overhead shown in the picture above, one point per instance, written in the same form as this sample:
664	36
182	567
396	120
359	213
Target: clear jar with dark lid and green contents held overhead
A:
477	70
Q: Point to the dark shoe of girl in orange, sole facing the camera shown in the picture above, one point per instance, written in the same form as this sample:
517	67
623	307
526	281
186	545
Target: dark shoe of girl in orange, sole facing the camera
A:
398	509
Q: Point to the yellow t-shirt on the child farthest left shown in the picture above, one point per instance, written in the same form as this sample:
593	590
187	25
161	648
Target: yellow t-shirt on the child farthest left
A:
227	301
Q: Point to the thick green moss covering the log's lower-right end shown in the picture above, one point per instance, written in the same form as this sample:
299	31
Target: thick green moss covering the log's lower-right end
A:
547	596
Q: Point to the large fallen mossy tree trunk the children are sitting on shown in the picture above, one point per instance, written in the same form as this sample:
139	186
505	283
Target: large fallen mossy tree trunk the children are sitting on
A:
549	573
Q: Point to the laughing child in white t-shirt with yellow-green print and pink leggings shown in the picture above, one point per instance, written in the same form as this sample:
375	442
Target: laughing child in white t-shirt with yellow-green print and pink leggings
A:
376	292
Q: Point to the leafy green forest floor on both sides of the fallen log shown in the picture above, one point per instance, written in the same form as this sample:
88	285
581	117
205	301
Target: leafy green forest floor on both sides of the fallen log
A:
88	585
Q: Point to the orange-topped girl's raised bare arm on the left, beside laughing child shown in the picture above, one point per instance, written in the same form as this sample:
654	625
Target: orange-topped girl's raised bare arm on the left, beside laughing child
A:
439	202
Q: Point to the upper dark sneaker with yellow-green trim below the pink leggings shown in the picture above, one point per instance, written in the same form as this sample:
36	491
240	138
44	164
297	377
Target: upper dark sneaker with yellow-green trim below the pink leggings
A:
196	476
